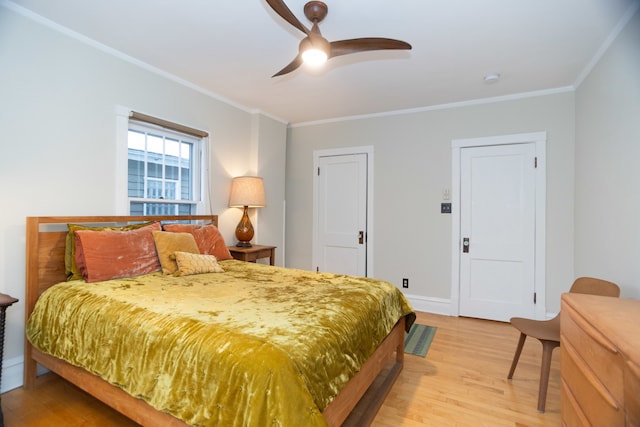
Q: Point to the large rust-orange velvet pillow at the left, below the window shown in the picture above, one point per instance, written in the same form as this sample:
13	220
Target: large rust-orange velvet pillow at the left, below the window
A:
112	254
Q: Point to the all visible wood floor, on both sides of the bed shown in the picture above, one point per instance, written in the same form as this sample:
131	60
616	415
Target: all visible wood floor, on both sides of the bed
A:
461	382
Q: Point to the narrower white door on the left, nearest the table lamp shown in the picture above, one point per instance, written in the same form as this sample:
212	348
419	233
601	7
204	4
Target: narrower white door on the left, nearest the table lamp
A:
341	213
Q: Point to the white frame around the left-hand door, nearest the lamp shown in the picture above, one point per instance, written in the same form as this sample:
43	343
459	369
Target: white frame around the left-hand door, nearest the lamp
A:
369	240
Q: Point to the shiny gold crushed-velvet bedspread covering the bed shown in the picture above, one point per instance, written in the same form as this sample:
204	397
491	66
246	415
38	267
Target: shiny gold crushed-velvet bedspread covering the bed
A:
253	346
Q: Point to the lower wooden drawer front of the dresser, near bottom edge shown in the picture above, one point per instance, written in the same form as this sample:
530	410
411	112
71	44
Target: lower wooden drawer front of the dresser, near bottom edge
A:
591	396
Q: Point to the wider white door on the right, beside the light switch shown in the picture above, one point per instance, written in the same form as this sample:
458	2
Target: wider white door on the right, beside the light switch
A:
497	231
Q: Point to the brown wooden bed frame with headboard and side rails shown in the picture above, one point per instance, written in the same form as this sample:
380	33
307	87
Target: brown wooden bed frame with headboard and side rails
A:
357	403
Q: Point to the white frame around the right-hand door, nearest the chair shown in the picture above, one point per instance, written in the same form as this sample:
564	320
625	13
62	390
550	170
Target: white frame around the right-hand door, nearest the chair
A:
540	141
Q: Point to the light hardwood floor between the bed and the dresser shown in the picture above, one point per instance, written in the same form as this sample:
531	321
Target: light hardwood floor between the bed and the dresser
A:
463	379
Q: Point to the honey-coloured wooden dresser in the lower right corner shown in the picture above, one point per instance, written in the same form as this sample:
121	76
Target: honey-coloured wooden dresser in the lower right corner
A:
600	361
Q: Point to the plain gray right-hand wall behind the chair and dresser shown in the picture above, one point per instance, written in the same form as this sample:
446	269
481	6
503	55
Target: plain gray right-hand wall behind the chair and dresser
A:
607	220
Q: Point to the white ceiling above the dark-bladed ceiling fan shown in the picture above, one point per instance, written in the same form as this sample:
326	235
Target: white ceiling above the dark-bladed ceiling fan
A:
232	48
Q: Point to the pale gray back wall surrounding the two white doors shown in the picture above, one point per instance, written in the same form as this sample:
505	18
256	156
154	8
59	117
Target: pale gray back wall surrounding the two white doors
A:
412	155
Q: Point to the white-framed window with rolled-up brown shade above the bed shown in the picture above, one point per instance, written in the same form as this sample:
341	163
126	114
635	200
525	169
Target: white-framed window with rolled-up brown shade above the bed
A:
164	168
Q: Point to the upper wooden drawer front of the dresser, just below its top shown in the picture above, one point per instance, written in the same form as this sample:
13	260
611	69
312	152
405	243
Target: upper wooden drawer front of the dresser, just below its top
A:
598	353
